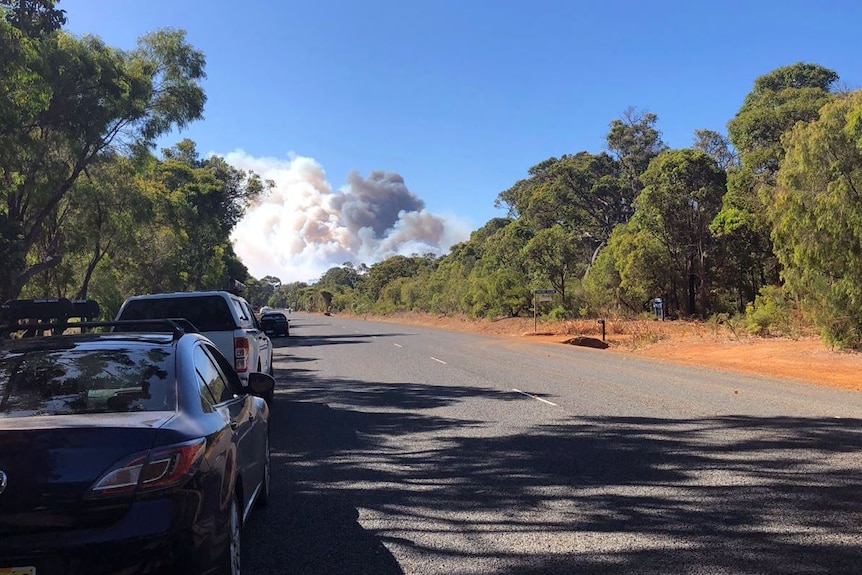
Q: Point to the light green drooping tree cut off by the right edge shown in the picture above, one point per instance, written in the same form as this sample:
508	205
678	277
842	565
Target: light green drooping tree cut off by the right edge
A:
817	218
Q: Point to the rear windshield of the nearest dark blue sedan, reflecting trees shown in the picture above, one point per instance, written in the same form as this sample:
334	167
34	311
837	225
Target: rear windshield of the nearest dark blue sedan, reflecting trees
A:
79	381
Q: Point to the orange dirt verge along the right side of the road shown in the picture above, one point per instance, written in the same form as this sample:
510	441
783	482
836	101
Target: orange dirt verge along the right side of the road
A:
806	360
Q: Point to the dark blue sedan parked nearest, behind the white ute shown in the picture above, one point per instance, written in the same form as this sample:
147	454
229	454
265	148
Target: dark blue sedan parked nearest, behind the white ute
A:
137	452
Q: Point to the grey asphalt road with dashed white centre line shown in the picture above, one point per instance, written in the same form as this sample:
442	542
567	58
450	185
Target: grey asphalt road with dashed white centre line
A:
399	449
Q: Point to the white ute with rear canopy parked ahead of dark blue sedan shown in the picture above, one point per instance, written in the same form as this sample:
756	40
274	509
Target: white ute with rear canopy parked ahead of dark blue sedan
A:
220	316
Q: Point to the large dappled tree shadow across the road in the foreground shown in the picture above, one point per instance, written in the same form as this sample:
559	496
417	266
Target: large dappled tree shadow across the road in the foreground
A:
708	495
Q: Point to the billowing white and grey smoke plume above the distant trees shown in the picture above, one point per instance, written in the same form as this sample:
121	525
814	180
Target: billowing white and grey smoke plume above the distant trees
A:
303	228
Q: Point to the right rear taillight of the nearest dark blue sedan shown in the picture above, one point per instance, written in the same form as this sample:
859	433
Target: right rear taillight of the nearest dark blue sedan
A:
151	470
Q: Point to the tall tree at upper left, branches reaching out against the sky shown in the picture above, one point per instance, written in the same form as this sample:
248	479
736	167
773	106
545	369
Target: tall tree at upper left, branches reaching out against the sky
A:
65	100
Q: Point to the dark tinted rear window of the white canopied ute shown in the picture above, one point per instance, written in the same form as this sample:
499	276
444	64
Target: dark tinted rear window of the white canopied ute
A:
206	312
